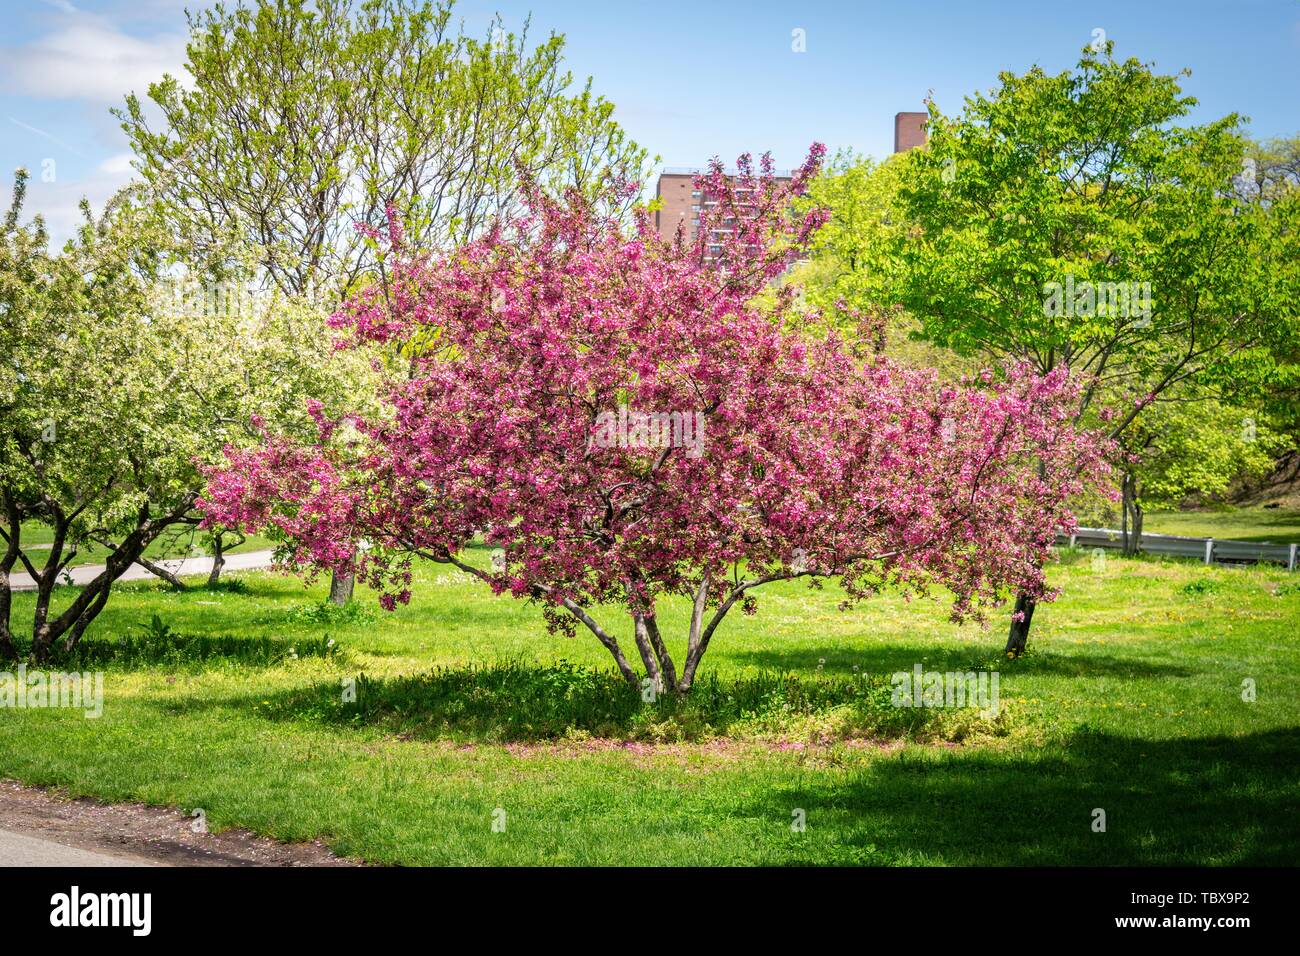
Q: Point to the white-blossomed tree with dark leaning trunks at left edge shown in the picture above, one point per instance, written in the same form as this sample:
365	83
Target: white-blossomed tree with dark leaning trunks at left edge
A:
114	395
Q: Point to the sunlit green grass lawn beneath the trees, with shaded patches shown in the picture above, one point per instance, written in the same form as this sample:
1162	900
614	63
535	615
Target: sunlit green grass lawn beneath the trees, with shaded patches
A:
1130	702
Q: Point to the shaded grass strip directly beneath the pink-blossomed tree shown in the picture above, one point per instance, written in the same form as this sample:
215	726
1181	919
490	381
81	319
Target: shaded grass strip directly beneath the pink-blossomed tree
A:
521	702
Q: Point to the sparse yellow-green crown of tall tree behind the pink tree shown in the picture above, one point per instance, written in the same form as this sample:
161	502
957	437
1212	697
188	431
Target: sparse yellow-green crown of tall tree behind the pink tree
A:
305	119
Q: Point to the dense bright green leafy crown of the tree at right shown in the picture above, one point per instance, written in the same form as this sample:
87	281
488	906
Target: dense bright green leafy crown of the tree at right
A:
1071	220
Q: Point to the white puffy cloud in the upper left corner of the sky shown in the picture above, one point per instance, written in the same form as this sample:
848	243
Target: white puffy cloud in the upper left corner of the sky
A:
88	58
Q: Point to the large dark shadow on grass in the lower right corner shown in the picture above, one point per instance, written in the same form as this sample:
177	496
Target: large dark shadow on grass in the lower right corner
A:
1175	802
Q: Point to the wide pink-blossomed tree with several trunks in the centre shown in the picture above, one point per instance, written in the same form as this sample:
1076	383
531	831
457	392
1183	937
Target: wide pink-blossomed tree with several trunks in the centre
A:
627	425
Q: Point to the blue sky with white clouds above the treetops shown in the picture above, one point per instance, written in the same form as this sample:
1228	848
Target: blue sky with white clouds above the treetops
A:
691	80
